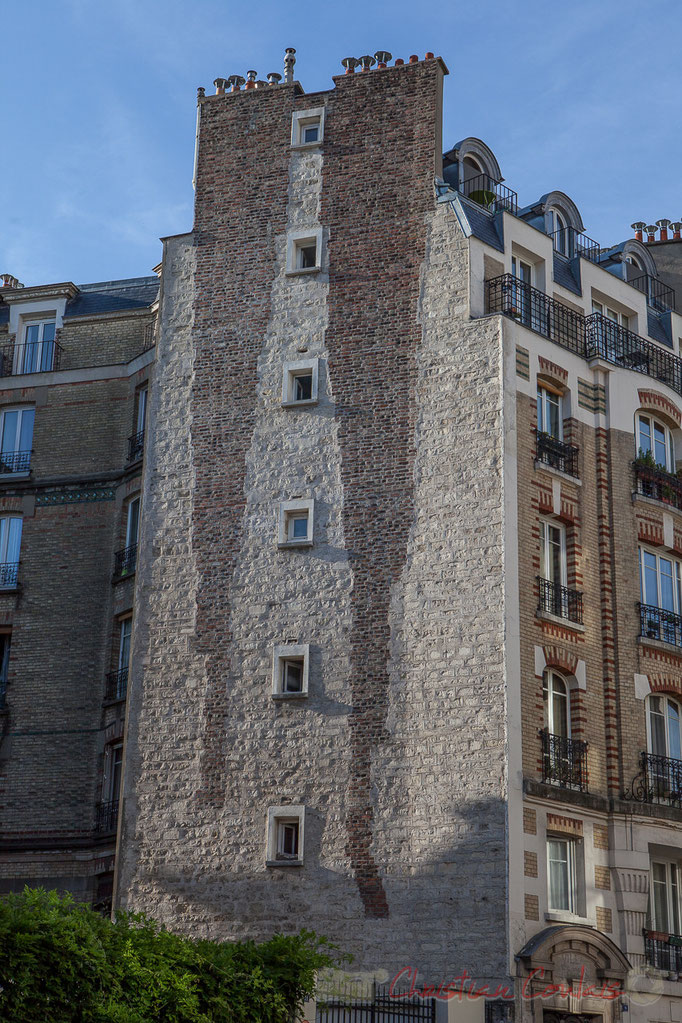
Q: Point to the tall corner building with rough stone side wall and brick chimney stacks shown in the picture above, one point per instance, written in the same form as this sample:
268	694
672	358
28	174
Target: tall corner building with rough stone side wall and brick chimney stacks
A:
394	678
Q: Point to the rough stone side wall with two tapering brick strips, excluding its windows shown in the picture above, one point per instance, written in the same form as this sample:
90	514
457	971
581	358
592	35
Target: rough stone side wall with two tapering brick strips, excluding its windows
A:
398	752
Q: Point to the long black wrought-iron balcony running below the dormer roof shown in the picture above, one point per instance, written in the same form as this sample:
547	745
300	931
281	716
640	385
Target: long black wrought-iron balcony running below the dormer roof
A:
590	337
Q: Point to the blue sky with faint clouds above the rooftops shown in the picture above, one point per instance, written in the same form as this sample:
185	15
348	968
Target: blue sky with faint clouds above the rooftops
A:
100	107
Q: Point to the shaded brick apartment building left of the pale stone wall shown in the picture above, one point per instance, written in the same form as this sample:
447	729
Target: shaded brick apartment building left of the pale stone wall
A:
75	365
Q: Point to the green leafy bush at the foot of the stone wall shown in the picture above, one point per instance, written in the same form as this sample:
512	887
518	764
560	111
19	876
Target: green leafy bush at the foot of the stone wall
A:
63	963
